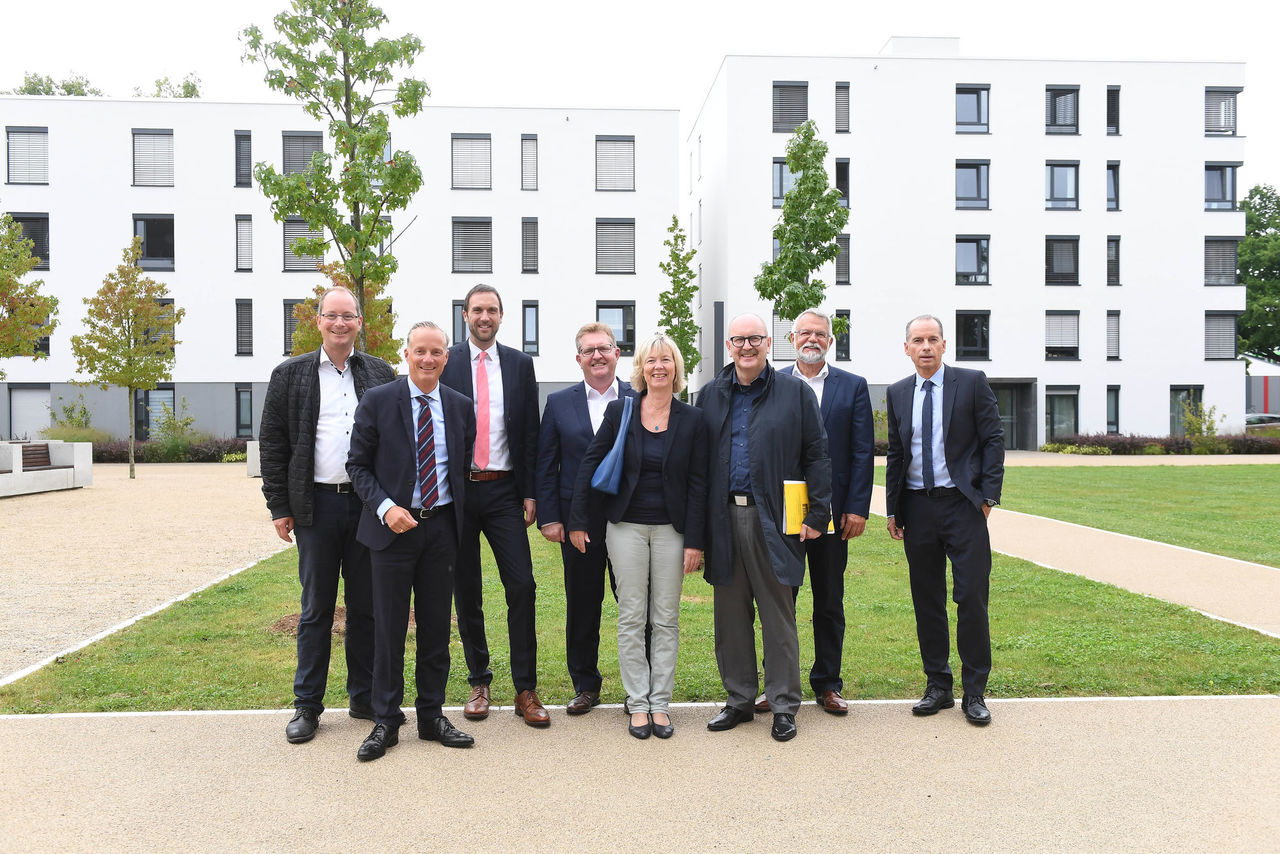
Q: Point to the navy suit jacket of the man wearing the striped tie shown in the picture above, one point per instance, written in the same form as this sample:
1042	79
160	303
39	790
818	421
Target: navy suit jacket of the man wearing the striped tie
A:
383	459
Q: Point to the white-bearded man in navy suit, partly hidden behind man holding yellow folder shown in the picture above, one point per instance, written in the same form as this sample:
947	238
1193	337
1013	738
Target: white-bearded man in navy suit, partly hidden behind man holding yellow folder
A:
847	414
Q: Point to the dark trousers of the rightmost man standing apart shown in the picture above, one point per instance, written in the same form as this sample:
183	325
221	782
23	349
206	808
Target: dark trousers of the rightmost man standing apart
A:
950	527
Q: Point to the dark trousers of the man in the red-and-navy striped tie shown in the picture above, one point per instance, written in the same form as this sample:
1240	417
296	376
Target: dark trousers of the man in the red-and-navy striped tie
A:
419	563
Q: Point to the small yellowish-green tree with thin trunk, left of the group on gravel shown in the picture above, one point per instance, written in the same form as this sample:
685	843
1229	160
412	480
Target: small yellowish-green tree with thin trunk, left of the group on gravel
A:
129	335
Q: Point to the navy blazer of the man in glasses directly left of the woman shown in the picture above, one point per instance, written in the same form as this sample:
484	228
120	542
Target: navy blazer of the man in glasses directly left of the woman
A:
563	441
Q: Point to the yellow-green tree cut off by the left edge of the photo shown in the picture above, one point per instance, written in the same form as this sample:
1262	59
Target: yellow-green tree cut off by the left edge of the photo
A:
26	317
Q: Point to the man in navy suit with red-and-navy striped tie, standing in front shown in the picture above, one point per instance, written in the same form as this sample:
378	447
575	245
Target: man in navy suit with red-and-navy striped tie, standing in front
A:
410	453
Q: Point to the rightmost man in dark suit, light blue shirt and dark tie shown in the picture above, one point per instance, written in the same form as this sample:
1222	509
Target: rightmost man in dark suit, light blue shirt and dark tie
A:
945	471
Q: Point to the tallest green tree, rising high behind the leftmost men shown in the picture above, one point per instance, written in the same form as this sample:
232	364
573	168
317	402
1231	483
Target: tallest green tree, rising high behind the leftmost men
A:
327	61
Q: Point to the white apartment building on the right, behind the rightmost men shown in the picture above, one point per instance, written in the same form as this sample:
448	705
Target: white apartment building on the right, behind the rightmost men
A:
1050	213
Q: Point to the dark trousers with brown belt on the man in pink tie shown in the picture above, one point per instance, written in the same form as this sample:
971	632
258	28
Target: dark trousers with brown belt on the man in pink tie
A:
496	510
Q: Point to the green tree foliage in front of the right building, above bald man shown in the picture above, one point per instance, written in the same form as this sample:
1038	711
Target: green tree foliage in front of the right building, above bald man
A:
812	220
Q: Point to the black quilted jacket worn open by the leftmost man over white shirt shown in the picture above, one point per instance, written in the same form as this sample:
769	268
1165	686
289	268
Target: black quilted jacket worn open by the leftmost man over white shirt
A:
289	432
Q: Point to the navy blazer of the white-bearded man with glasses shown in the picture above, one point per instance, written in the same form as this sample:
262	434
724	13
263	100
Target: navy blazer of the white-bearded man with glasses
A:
847	414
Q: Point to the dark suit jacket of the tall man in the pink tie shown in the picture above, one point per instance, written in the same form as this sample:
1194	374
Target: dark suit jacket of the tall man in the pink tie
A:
519	405
